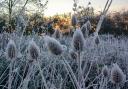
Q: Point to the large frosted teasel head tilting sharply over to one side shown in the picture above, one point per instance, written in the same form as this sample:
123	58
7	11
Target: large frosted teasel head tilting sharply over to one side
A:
53	46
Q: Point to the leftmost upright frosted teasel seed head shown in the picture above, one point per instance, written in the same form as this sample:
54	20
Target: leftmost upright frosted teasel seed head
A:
11	50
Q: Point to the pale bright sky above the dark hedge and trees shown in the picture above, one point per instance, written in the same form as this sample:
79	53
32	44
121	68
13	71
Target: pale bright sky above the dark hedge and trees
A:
64	6
